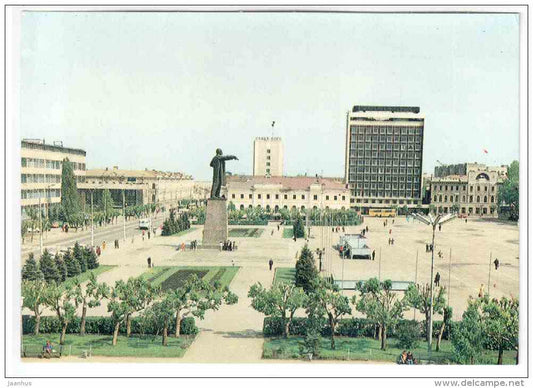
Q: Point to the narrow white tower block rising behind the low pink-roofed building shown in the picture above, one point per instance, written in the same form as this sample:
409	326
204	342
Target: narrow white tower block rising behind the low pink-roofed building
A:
268	156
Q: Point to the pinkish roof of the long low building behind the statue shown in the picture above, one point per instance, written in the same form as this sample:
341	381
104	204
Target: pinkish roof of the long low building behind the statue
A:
290	183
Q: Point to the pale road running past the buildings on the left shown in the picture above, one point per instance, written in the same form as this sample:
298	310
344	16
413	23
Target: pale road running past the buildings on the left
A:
109	233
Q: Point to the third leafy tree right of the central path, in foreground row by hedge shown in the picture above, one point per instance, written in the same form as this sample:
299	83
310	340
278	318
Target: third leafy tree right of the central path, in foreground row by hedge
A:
380	304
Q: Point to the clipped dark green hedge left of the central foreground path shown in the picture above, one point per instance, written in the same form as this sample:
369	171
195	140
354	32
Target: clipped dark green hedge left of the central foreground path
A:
101	325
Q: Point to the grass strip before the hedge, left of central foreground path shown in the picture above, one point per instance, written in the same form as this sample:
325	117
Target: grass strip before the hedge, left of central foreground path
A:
100	345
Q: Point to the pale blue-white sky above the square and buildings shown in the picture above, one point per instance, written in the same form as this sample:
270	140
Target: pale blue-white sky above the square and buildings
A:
164	90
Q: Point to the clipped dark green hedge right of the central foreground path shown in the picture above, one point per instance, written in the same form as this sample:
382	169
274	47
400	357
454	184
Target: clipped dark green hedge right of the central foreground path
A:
350	327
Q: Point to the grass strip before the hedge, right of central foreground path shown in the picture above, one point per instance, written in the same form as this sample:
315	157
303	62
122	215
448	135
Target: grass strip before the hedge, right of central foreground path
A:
348	348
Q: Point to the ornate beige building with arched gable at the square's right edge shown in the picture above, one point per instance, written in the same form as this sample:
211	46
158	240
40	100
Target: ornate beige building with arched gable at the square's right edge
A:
471	190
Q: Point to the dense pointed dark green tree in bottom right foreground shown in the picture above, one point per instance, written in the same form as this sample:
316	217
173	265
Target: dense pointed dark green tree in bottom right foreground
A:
467	336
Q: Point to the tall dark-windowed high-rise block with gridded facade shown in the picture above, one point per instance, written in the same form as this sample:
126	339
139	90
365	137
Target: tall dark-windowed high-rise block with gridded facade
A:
384	146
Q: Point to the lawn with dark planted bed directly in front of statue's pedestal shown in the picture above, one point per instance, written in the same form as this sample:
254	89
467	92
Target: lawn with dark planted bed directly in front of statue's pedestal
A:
175	277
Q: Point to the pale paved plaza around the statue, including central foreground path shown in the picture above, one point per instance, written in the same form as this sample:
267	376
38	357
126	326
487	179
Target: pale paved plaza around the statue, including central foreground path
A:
233	333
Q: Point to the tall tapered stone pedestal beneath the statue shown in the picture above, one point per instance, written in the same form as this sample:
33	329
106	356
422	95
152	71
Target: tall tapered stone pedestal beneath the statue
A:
216	223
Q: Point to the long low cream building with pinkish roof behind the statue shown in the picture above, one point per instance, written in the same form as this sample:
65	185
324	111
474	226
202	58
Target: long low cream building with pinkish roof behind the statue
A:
298	192
